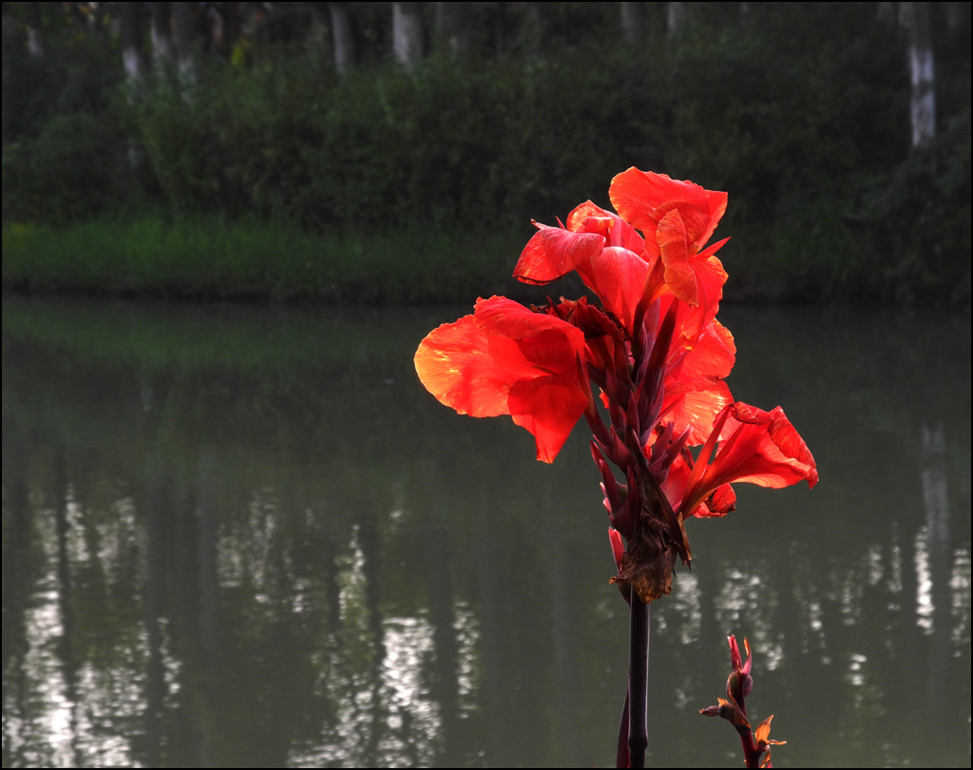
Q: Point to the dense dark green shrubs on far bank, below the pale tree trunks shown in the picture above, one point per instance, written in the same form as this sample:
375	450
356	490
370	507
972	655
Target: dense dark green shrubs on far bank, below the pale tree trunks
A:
807	129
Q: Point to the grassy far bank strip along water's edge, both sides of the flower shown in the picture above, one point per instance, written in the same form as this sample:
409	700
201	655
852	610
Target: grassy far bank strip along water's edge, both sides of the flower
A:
168	256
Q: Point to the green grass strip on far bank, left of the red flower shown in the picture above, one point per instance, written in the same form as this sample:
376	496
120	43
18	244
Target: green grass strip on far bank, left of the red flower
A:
209	257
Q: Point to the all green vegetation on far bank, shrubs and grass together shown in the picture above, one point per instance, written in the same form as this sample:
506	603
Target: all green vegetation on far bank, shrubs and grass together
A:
800	111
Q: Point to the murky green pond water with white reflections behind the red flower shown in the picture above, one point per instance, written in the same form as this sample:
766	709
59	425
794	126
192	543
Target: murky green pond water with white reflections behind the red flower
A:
238	536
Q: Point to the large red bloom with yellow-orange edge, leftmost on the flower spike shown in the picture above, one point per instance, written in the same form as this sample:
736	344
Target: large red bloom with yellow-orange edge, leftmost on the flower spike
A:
505	359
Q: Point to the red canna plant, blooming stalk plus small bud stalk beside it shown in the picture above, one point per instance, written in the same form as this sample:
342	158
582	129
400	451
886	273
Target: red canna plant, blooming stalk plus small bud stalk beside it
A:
659	357
